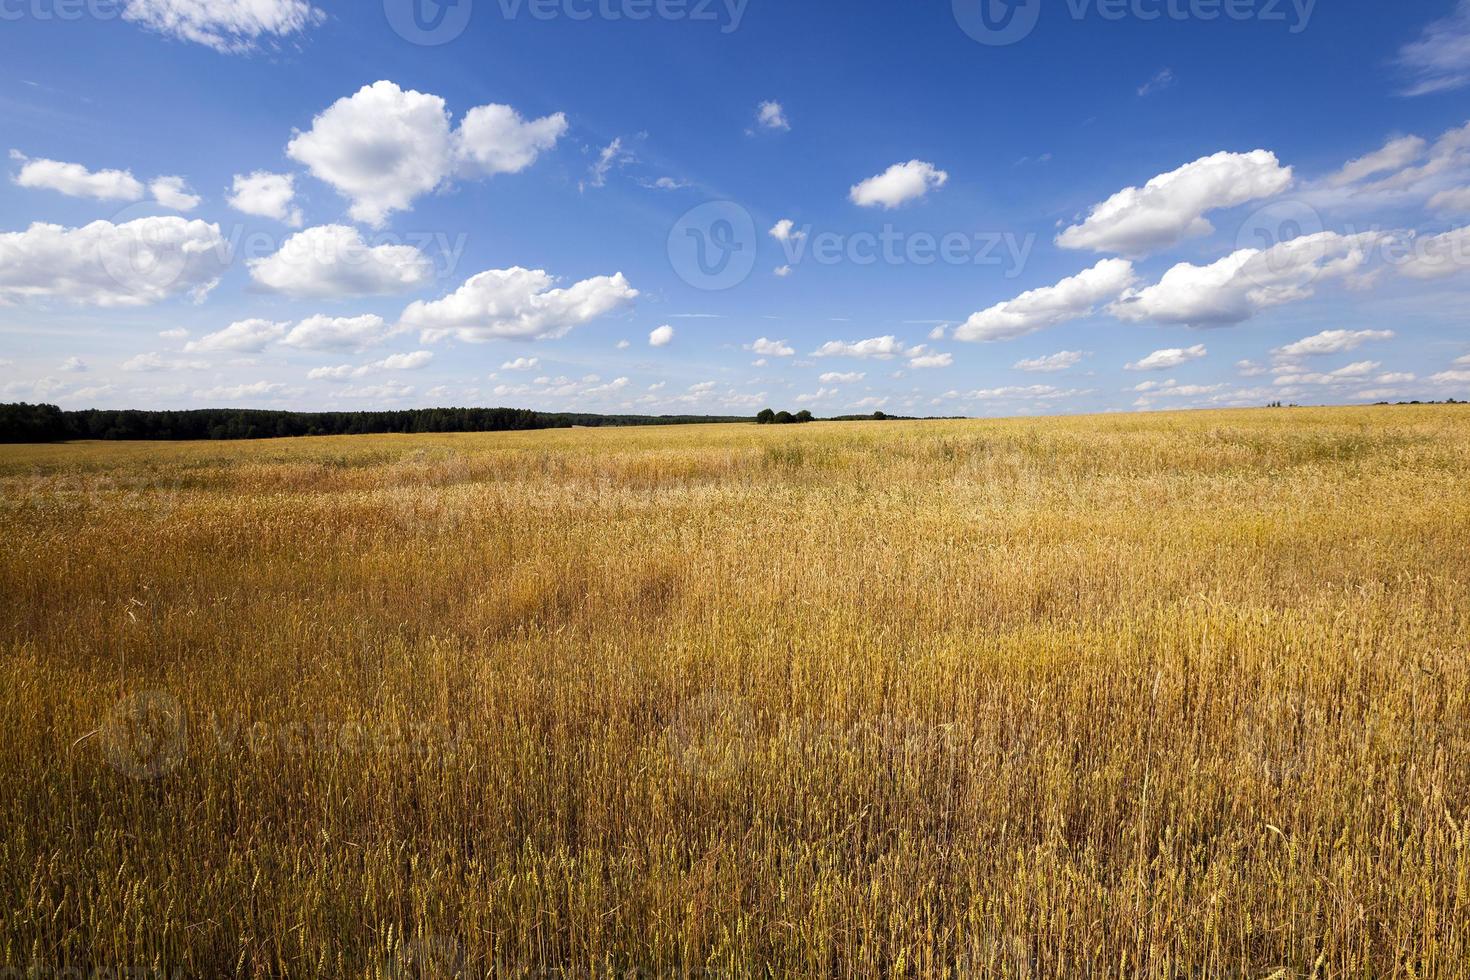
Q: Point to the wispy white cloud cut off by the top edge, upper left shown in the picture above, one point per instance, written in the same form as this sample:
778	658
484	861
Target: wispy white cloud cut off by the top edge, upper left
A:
230	27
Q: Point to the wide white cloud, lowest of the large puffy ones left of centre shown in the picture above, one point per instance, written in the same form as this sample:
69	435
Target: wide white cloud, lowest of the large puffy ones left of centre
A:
517	303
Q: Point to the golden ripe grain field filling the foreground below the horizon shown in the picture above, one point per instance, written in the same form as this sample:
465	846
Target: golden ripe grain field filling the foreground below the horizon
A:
1166	696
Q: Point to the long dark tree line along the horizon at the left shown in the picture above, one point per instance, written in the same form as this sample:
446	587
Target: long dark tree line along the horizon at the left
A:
49	424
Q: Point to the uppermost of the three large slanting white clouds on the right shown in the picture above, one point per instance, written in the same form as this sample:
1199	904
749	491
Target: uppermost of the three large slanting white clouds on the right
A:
1172	206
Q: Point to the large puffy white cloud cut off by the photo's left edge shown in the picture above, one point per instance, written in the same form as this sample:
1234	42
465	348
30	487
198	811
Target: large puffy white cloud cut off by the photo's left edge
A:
136	264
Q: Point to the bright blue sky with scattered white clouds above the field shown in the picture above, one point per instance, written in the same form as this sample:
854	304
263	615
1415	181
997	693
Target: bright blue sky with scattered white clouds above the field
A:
714	208
